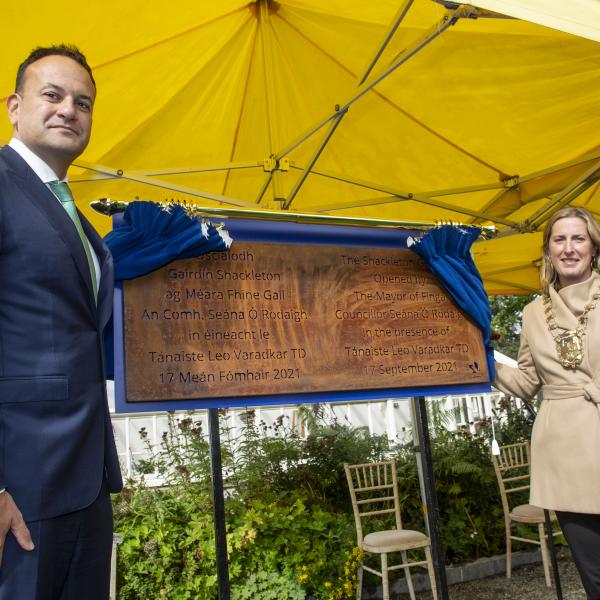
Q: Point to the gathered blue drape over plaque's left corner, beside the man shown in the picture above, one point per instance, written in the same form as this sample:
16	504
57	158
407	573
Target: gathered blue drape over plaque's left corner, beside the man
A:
152	236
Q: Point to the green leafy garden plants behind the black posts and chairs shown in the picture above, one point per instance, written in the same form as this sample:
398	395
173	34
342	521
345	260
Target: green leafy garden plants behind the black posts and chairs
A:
290	529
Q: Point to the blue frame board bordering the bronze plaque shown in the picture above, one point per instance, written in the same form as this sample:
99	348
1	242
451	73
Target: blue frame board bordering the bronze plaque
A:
286	232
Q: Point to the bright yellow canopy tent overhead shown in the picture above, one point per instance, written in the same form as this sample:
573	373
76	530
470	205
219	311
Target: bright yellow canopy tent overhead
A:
393	110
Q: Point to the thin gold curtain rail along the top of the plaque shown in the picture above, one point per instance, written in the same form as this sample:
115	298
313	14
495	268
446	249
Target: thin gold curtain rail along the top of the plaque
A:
109	207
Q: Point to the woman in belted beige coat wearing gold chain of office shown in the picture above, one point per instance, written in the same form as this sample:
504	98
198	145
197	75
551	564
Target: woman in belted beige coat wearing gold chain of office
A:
560	355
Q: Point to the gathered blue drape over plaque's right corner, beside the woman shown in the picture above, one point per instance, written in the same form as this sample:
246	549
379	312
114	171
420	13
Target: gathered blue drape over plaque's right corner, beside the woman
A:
447	252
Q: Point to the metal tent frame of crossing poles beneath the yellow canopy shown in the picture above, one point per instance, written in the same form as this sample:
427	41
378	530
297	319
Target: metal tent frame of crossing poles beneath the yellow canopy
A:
555	186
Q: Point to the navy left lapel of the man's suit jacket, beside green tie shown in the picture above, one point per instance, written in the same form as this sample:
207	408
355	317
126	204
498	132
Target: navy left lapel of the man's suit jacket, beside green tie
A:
36	191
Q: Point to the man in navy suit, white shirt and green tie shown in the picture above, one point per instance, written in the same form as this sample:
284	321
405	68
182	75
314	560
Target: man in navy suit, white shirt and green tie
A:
58	460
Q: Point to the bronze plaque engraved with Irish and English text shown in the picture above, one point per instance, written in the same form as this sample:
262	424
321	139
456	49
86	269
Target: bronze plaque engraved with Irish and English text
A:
265	318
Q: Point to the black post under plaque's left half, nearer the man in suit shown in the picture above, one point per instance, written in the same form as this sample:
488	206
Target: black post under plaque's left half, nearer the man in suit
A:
218	503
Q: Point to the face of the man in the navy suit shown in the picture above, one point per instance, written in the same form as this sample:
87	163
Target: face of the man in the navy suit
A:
52	114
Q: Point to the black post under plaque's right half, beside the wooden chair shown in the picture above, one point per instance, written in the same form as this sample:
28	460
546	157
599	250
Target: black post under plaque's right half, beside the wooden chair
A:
423	449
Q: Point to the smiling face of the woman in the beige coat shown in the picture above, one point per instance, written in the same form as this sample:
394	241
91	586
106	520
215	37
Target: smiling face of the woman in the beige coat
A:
571	250
